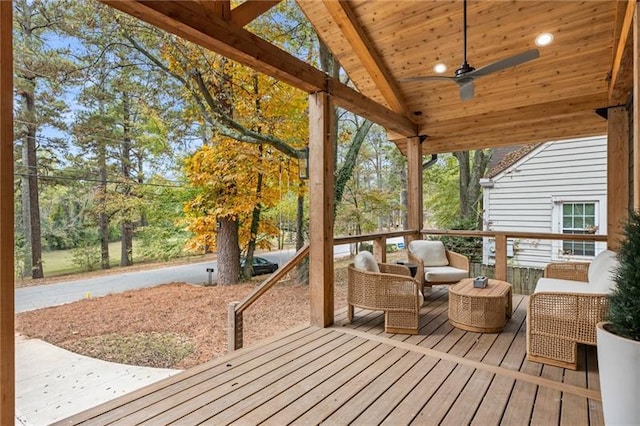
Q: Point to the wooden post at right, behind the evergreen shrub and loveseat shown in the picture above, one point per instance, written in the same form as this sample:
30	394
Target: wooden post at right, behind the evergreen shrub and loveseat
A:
617	174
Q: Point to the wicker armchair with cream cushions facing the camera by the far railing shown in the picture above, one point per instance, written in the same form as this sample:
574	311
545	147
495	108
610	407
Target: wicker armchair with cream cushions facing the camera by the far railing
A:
436	265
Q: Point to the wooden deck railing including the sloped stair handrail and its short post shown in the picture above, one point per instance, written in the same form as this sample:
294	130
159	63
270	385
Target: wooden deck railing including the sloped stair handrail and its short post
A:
236	309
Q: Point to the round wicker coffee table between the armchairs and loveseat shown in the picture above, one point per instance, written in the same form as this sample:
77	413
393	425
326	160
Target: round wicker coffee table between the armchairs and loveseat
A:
483	310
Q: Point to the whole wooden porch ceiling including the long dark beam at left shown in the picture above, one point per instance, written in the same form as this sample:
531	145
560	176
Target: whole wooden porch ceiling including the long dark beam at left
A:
381	42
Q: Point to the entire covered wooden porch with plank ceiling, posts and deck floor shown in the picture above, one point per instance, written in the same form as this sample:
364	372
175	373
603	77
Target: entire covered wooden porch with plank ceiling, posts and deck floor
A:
442	374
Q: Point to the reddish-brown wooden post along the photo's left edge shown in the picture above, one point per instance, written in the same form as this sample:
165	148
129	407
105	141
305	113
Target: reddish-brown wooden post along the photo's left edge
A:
7	343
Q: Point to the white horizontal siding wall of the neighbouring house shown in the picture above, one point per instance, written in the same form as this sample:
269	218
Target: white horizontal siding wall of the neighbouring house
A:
527	197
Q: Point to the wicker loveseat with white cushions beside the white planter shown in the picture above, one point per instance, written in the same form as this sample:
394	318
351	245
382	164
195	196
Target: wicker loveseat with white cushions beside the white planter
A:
565	307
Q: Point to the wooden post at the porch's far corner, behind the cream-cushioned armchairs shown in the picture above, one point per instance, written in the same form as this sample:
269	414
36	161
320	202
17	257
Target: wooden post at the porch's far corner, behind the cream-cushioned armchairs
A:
414	185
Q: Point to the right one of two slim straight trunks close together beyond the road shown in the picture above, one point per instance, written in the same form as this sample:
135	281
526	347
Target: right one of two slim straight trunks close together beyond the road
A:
126	253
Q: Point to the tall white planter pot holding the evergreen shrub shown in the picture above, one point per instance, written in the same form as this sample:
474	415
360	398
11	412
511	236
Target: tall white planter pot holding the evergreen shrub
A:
619	368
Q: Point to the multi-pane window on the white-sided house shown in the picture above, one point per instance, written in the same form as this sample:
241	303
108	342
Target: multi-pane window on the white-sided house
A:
579	218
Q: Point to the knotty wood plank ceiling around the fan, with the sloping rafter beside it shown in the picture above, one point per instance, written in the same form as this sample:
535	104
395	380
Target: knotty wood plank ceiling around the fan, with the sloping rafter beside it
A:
552	97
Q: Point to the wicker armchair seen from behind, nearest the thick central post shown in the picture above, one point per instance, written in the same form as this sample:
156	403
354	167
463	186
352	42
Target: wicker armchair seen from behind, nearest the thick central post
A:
384	287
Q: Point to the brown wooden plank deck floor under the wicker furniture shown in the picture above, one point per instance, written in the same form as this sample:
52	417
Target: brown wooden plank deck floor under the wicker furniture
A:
358	374
